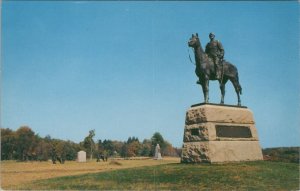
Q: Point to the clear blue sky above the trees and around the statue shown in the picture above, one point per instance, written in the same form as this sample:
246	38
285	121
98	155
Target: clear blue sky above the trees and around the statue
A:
122	68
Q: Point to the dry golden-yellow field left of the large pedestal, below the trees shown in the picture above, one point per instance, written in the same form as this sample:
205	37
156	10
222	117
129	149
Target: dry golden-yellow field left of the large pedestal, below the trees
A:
14	175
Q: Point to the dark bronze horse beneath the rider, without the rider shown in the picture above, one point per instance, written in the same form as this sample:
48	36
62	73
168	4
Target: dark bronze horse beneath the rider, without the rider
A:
205	71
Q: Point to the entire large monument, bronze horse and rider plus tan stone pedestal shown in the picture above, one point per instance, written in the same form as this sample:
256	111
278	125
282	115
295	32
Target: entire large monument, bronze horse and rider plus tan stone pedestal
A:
217	133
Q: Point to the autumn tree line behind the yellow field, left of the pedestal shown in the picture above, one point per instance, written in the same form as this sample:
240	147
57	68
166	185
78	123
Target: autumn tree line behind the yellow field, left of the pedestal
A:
24	144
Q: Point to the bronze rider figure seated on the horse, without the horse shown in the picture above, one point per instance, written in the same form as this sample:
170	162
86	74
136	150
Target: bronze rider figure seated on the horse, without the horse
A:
215	51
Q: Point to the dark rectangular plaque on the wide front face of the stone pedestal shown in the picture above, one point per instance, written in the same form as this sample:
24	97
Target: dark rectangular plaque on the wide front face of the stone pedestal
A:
233	131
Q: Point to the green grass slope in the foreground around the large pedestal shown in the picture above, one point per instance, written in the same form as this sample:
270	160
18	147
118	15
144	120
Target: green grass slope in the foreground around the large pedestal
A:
237	176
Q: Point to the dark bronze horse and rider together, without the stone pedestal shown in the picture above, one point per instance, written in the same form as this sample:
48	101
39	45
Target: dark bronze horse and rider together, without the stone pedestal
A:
210	65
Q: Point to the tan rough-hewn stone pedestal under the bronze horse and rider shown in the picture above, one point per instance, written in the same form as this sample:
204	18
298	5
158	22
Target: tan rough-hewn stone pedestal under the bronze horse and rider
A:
220	133
